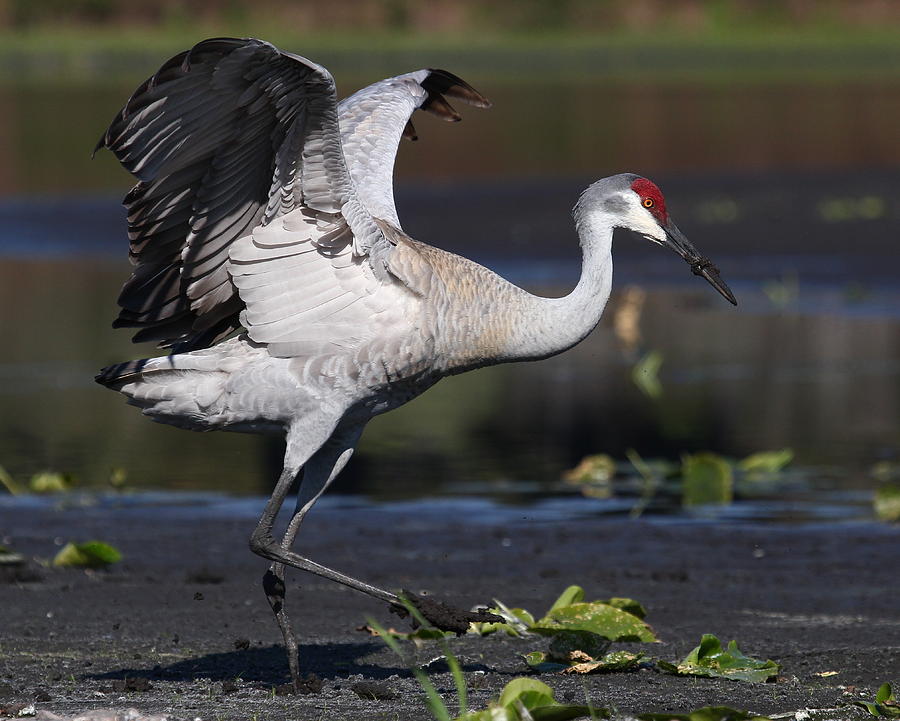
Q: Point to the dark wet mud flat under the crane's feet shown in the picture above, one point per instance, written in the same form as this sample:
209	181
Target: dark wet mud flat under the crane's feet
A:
181	626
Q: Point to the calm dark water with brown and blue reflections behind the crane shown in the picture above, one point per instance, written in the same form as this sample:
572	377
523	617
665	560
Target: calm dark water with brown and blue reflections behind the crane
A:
800	216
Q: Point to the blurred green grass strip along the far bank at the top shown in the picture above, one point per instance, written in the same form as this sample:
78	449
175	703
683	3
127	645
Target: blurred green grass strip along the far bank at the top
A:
90	52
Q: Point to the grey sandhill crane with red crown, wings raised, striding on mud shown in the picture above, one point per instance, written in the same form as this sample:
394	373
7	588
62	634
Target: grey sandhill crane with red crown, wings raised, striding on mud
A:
264	215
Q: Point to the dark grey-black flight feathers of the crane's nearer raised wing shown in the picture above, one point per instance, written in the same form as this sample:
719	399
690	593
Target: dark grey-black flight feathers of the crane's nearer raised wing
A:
214	138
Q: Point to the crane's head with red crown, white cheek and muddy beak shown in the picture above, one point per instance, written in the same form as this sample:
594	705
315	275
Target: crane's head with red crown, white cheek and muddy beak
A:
638	204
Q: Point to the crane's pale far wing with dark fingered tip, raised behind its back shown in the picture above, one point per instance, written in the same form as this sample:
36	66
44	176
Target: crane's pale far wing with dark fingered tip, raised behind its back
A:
375	118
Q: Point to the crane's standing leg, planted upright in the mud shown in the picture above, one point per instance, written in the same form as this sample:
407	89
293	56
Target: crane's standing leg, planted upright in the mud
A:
315	477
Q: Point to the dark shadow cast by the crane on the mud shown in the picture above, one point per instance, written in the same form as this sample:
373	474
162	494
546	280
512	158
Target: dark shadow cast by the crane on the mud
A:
268	665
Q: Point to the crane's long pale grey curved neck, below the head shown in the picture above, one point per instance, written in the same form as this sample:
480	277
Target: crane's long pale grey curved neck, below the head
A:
549	326
